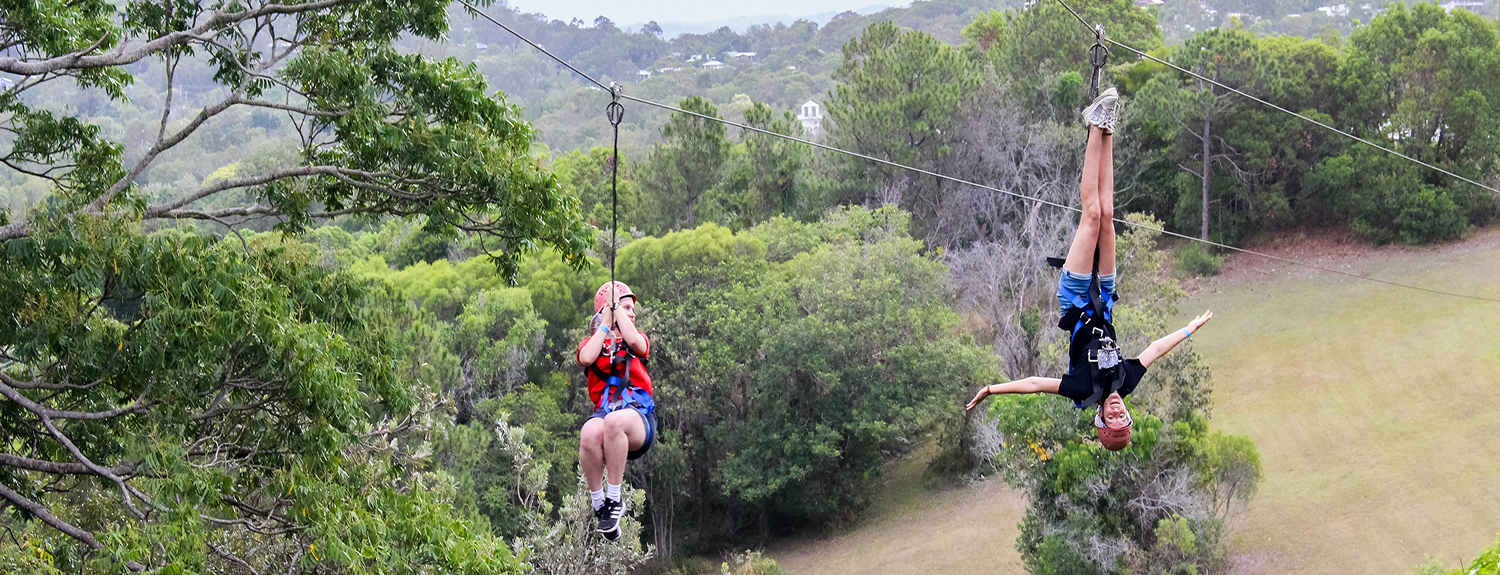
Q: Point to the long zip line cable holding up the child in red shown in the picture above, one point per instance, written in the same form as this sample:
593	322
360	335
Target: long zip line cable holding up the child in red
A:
622	95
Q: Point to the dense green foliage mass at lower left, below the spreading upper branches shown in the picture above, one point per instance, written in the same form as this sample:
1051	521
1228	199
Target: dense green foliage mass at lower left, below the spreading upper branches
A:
259	390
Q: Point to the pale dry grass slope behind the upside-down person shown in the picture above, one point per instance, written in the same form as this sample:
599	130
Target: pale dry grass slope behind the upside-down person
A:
1375	409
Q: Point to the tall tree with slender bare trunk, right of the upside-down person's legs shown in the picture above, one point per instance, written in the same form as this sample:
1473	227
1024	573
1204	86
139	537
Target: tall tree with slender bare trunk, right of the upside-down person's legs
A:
1231	58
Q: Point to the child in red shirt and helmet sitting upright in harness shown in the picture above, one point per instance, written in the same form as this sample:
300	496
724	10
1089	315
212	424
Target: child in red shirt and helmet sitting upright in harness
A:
623	426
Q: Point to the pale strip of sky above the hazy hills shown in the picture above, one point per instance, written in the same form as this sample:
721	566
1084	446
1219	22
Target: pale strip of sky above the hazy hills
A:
691	11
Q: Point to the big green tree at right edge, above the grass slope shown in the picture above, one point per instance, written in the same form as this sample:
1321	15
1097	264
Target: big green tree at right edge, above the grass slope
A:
1417	79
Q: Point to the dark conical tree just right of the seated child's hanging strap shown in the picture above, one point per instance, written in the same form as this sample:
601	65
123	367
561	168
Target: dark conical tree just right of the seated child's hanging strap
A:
686	164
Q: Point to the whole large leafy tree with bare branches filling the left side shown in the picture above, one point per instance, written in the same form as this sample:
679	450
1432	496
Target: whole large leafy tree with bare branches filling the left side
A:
181	403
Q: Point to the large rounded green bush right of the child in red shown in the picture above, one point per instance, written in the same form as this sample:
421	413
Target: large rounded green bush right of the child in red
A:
847	327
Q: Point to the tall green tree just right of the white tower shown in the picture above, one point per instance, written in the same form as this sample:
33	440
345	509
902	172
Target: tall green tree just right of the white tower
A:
898	95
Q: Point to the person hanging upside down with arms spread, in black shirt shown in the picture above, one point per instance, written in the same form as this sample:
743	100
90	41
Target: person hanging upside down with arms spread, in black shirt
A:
1087	298
